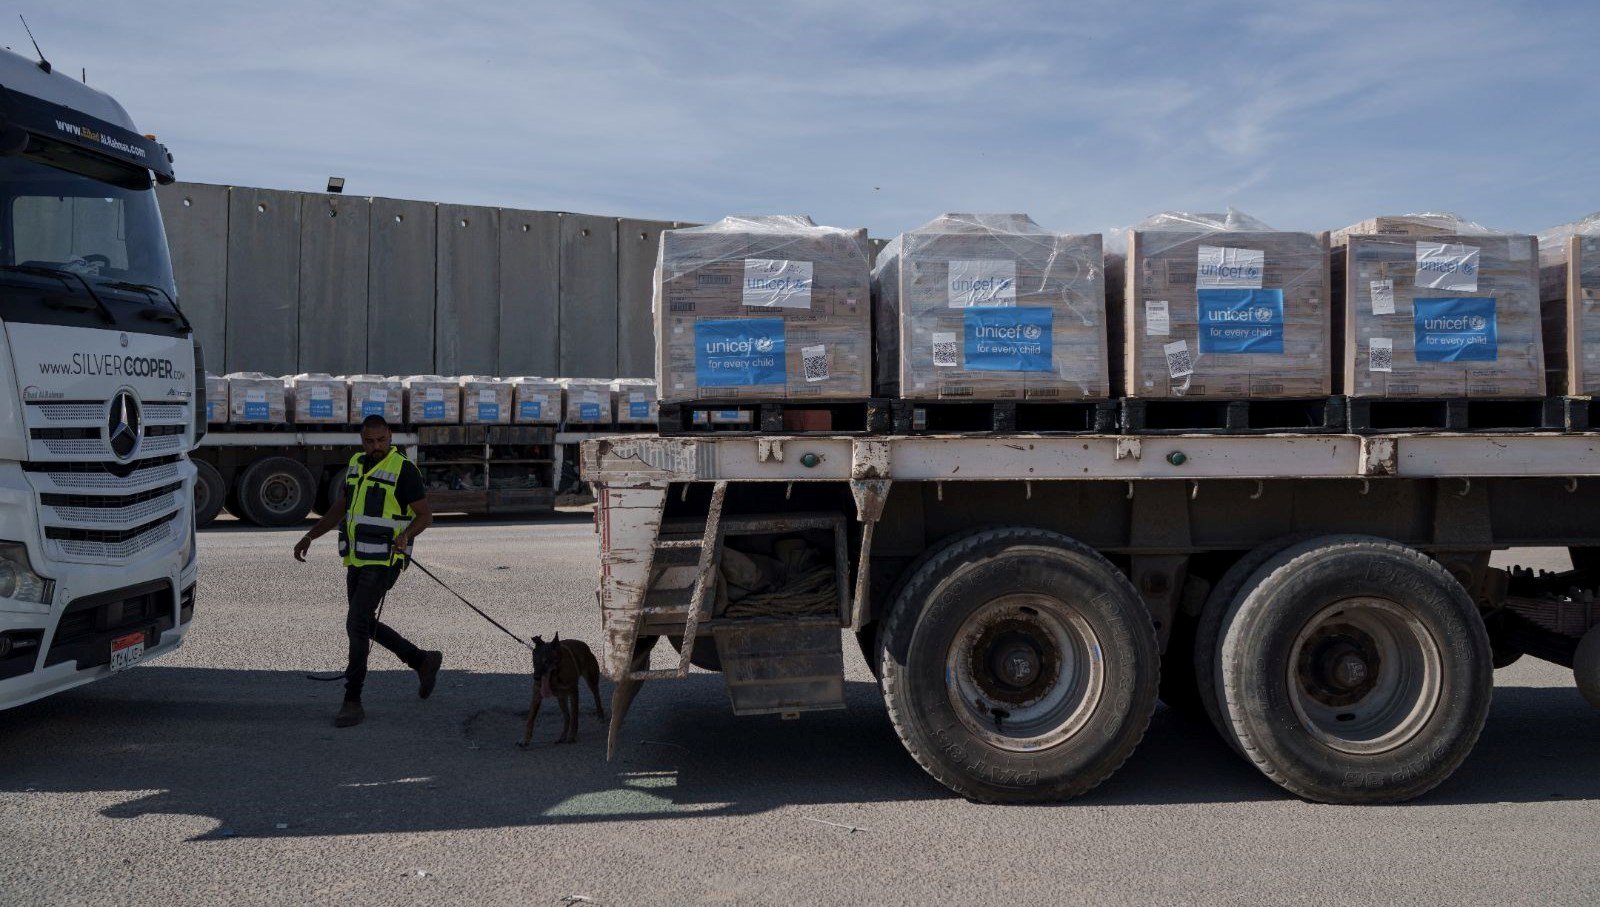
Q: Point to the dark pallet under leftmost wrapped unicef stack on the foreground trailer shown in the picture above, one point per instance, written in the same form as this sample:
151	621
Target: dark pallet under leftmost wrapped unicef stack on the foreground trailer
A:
777	417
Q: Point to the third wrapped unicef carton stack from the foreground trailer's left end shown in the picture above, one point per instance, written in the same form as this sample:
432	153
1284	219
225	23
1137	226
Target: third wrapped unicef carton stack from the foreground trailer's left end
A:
1225	308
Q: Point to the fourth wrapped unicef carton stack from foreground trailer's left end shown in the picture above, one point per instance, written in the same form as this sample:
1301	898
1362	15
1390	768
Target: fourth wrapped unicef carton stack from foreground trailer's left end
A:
1436	308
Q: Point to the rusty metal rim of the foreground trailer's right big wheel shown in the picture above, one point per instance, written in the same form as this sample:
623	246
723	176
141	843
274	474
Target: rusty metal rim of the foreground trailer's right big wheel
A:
1366	676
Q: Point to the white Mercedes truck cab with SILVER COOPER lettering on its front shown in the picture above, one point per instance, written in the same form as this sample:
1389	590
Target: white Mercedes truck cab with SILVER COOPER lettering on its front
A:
98	402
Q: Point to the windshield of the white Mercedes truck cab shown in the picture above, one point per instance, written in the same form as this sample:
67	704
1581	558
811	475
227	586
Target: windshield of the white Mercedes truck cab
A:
66	210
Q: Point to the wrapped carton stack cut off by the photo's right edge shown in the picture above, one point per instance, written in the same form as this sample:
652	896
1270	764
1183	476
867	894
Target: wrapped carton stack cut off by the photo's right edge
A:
1570	298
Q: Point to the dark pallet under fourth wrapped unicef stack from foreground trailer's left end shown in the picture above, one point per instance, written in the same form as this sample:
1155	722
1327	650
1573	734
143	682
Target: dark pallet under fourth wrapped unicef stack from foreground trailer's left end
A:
1377	415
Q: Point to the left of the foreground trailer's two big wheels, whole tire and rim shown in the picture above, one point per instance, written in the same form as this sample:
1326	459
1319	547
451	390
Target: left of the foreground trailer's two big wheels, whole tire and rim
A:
975	588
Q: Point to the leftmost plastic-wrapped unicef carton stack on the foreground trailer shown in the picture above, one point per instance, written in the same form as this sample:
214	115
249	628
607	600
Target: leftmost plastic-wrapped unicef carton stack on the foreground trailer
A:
770	308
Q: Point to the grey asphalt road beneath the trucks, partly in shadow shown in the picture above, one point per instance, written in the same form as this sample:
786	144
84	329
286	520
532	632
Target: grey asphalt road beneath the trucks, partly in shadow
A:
214	777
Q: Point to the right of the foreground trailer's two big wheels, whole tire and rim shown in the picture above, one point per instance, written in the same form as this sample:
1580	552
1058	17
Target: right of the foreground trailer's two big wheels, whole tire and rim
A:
1356	671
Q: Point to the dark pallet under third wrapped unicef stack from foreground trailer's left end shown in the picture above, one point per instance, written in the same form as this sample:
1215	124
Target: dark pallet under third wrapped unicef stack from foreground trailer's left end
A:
1263	417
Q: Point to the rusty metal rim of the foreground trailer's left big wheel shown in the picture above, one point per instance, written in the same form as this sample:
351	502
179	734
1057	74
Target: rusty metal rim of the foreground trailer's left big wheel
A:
1025	673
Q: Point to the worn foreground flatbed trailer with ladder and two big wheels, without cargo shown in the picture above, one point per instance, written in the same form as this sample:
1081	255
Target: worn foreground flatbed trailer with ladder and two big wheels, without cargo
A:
1025	601
